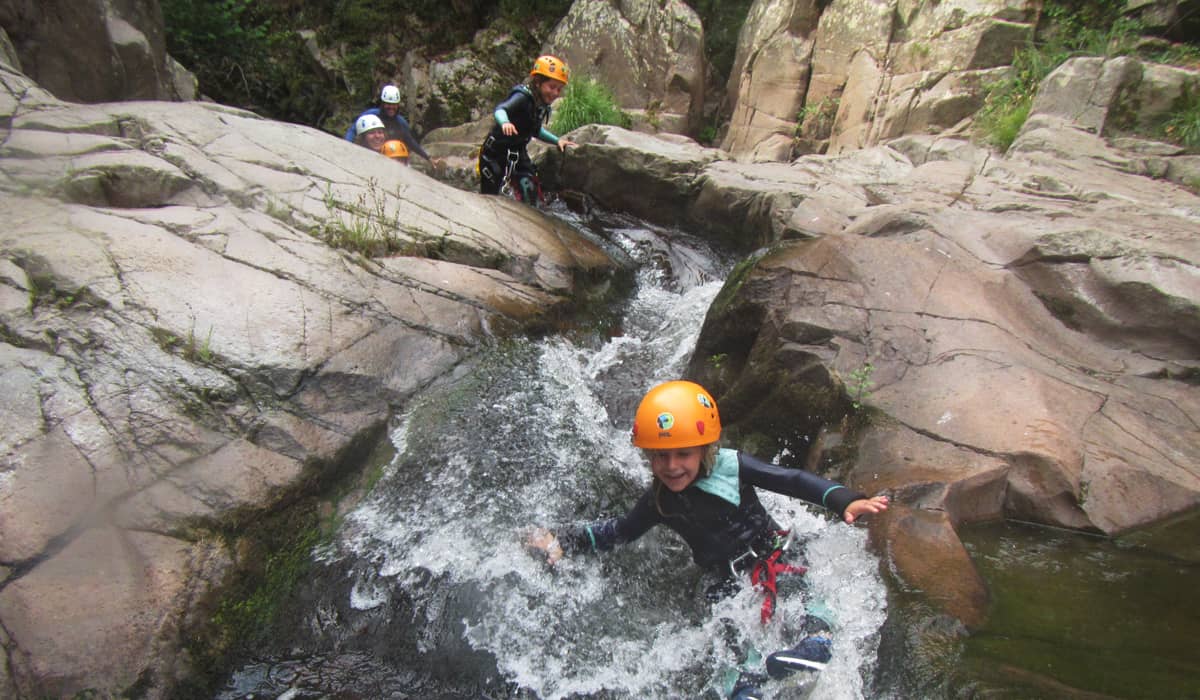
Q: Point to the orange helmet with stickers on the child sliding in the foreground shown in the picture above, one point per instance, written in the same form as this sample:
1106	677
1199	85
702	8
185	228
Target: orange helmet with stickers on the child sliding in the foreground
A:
676	415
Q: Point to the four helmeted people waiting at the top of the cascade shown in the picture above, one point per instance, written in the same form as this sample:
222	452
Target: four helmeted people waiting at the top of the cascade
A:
505	165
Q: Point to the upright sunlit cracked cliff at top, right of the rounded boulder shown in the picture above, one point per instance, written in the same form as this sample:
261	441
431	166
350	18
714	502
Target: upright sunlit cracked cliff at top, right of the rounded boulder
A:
851	74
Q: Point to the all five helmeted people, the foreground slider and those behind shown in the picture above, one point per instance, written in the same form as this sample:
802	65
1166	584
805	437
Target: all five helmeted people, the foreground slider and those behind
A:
707	495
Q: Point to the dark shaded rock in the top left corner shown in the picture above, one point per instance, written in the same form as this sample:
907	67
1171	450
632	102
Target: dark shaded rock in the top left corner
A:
95	51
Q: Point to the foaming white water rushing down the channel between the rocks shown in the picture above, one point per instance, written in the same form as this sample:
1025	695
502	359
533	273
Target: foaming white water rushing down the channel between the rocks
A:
538	434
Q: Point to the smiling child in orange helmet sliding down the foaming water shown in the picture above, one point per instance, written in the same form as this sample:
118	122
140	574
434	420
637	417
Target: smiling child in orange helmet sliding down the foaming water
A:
709	496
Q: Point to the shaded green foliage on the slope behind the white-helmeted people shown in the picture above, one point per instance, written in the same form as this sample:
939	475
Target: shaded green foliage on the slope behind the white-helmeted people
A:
265	56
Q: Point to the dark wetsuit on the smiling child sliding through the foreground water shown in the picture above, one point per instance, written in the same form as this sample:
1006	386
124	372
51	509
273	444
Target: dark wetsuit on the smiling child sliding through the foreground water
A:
719	517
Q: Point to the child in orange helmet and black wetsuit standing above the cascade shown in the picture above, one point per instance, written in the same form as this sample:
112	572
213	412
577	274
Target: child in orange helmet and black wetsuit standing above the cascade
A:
505	164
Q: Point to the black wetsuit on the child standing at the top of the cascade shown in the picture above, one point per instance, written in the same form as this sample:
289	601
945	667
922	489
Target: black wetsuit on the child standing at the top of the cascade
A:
529	116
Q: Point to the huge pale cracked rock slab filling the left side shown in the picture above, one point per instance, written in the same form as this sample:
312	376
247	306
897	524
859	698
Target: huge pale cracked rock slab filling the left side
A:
182	350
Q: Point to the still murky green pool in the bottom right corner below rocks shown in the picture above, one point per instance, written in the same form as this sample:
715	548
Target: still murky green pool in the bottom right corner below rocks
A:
1078	617
